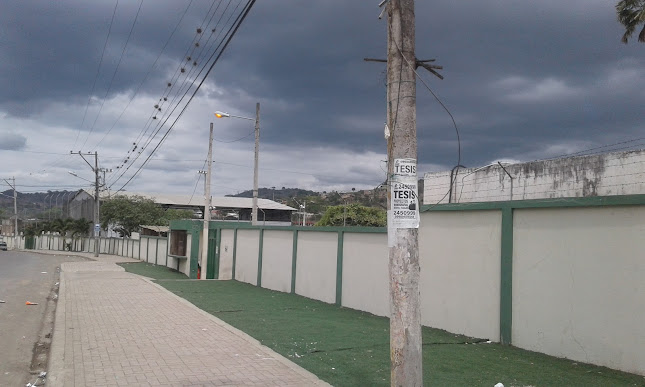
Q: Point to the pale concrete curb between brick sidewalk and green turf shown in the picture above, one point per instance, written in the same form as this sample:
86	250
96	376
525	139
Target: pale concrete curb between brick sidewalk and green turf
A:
283	360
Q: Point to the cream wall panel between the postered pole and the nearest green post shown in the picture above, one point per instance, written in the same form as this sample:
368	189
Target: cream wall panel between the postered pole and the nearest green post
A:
460	272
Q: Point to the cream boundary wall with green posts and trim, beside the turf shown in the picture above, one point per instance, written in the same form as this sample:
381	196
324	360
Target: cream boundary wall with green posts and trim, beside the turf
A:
559	276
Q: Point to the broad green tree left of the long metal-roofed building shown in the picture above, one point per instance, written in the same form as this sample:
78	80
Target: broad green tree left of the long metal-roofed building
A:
126	214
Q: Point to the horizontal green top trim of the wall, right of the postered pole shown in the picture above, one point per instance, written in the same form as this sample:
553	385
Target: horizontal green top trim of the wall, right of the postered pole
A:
592	201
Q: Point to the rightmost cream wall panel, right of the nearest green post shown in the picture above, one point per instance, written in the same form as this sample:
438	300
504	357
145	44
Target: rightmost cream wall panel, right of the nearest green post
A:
582	294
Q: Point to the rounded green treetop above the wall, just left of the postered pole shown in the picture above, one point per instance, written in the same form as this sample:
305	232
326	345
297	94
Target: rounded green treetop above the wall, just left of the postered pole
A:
353	215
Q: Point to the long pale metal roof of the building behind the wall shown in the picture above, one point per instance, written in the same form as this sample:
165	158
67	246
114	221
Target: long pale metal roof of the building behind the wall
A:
217	202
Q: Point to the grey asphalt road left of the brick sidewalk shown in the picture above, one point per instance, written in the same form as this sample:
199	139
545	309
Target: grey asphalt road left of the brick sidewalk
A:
25	330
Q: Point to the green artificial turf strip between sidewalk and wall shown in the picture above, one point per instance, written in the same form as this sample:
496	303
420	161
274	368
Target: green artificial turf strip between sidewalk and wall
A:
346	347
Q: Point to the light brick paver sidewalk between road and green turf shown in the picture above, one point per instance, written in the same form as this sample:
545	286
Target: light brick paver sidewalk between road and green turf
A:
118	329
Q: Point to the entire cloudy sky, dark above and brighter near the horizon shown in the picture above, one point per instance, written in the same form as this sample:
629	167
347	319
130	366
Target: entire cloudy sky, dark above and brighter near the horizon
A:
524	80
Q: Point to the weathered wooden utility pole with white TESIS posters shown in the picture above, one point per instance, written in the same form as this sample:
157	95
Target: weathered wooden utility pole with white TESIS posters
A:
403	214
